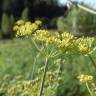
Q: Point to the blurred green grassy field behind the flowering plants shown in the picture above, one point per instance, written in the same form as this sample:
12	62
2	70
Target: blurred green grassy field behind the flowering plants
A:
17	58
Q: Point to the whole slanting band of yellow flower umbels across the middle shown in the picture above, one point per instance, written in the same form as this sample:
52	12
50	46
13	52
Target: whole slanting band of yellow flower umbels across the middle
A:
65	41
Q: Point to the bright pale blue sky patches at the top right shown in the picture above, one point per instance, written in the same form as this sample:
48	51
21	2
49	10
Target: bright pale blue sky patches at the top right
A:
90	3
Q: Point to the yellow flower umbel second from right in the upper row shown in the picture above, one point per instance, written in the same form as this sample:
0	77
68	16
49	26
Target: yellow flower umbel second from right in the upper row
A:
66	42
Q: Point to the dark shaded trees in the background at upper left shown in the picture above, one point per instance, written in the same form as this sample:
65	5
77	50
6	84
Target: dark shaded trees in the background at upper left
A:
12	10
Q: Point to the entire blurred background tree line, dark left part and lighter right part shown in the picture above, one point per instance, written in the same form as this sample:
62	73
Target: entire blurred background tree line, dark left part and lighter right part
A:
74	20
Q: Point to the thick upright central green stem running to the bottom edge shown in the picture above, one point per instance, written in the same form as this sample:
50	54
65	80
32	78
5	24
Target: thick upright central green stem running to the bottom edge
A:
43	78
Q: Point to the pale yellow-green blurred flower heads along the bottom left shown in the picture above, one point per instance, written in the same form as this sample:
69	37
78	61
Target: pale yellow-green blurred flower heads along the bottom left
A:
18	86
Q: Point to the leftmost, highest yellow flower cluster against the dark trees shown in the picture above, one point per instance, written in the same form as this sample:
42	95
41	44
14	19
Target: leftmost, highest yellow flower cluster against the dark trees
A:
26	28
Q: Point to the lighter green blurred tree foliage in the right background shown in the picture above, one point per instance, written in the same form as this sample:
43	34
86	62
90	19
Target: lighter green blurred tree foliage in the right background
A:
78	21
